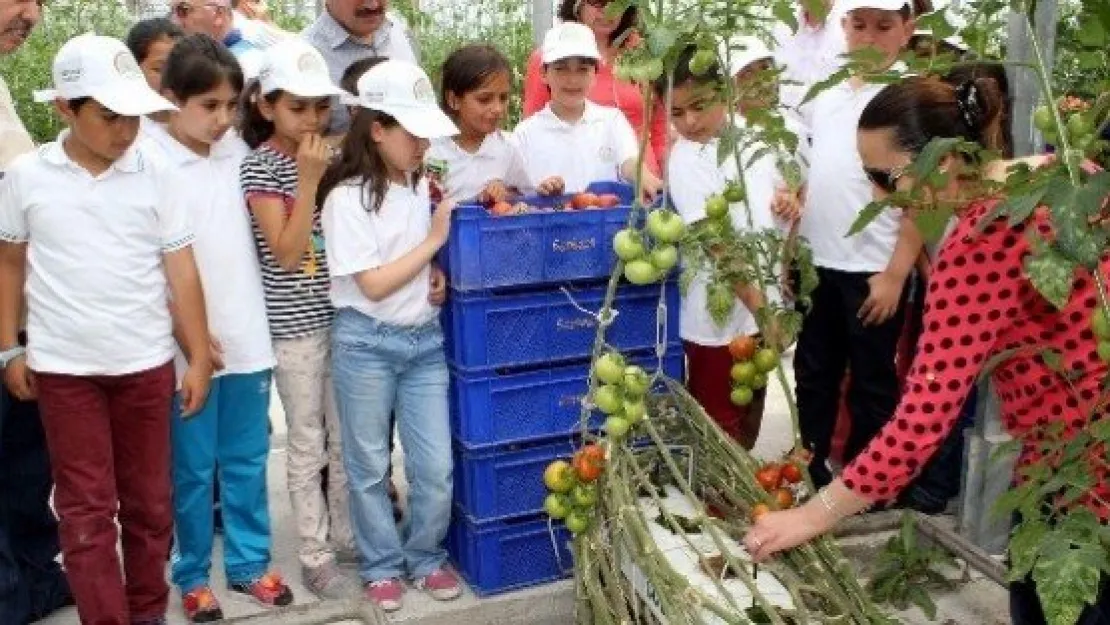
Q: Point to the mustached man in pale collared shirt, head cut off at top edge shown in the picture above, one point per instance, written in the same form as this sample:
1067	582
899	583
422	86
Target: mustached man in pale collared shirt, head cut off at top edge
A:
349	31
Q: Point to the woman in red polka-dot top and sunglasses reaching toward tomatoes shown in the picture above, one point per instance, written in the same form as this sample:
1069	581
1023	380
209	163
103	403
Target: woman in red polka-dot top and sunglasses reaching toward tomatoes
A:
980	304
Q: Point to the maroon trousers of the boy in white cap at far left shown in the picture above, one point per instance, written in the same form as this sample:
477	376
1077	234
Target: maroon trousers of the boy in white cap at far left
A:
109	440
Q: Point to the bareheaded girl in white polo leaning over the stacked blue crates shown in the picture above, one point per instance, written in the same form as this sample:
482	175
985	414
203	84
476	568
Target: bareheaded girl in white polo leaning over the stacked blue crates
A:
482	164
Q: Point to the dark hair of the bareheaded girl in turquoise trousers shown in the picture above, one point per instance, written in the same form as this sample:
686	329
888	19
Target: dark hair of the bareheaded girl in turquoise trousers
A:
198	65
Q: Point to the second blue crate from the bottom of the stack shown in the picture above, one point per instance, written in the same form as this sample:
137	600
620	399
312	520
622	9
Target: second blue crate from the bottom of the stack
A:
506	481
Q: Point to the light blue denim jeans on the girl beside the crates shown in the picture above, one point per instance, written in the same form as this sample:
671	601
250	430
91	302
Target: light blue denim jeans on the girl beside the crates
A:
380	369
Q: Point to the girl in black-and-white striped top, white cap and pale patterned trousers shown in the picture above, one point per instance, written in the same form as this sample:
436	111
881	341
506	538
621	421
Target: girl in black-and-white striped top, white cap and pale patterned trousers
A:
286	117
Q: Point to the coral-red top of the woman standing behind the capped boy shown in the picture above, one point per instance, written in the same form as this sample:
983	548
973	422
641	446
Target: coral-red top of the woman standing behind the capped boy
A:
608	92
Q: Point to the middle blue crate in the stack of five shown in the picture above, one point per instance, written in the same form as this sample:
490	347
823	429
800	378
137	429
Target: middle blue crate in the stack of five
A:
489	408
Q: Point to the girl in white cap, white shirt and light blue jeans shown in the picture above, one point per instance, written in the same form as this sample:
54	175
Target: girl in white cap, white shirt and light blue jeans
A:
388	347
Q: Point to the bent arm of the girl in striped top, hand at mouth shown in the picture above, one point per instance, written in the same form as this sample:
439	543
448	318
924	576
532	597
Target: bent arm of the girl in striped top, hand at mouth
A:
289	237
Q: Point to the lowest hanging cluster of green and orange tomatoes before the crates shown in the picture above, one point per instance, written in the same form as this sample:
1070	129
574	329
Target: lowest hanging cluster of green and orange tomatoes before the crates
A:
573	490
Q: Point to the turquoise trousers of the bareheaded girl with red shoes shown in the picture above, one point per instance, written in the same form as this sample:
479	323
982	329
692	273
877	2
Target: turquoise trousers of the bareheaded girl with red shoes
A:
233	431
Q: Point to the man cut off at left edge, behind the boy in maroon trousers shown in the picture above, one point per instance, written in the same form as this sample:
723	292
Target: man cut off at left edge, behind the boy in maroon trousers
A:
32	583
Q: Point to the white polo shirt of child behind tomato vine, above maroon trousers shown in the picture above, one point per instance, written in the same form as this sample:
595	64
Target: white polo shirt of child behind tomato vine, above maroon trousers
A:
695	175
